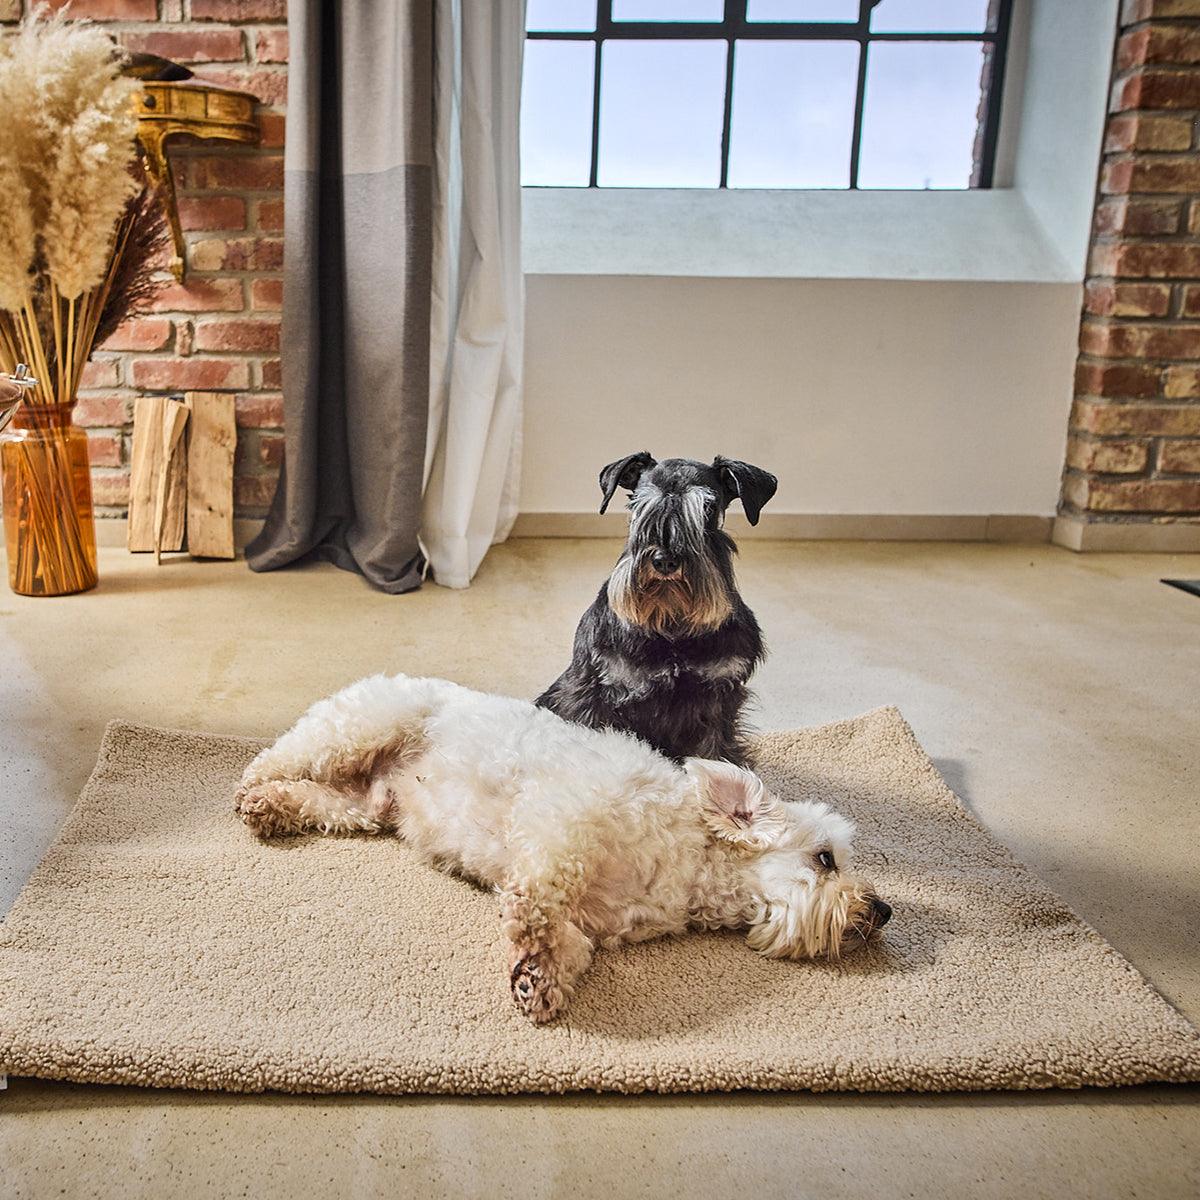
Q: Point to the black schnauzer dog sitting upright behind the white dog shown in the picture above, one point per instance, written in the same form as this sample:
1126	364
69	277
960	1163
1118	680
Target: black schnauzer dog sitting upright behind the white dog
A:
668	646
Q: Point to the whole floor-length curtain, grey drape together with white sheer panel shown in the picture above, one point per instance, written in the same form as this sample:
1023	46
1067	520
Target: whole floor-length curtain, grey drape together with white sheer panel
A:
403	296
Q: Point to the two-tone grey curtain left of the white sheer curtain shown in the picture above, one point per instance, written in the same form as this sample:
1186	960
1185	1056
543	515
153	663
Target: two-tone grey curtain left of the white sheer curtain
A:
357	291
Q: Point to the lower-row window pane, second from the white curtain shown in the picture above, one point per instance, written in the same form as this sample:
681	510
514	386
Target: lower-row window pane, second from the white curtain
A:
662	107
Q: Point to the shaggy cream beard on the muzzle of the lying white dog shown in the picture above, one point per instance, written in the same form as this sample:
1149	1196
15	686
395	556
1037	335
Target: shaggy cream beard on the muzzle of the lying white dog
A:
820	922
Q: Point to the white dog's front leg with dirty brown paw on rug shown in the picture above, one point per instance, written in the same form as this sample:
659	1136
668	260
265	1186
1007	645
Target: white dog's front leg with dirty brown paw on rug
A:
547	955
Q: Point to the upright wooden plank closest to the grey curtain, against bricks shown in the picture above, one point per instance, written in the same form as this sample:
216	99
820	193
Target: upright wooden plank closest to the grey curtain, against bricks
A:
214	439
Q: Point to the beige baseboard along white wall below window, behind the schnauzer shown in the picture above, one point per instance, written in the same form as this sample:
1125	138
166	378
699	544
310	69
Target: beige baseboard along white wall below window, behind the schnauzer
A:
809	527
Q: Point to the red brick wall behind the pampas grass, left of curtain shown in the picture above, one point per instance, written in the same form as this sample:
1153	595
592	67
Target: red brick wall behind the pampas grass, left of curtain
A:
221	331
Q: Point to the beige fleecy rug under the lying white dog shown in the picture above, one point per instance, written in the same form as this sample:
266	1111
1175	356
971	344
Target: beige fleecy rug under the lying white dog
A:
159	944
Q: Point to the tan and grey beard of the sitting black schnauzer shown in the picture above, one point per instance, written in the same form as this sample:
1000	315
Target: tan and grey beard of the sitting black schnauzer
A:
694	602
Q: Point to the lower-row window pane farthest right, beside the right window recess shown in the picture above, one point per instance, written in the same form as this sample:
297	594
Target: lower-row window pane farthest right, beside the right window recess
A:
921	115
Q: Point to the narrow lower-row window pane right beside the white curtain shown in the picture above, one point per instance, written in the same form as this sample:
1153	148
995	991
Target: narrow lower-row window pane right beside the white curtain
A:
556	115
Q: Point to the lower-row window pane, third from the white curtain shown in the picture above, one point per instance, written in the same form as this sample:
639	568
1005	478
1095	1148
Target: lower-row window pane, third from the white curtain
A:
794	115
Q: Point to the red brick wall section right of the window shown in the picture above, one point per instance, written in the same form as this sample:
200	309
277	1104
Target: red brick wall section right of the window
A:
1135	447
